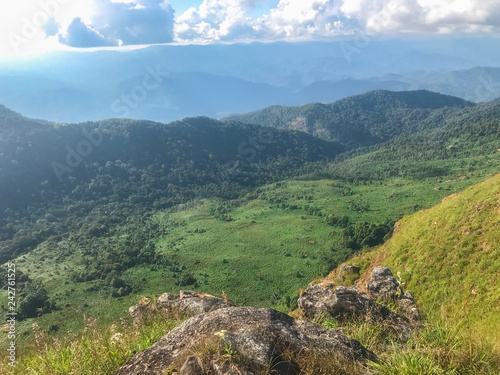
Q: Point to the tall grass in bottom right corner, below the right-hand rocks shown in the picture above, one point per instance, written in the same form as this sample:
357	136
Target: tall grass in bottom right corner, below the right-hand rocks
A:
439	347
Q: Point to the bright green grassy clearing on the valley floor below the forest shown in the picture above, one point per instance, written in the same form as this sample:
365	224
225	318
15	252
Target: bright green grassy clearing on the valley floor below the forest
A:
268	247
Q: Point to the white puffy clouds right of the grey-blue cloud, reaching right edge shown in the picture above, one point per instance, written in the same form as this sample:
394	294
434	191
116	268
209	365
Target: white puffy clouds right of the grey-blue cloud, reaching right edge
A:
319	19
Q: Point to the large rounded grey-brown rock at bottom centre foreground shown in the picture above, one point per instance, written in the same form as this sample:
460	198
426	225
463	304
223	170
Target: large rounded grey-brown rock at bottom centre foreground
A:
260	337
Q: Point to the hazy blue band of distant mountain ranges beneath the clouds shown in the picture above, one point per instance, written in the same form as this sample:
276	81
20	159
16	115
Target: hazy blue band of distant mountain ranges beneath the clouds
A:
167	83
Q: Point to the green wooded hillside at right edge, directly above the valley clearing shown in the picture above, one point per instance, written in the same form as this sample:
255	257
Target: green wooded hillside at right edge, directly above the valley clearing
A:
450	141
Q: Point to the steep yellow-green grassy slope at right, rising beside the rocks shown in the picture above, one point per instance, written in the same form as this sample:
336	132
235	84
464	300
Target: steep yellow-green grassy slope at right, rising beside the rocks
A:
449	258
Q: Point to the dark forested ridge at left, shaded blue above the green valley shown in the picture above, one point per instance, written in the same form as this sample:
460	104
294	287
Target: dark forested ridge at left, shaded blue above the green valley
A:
46	165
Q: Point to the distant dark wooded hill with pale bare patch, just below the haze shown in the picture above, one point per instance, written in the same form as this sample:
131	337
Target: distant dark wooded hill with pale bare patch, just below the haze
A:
361	120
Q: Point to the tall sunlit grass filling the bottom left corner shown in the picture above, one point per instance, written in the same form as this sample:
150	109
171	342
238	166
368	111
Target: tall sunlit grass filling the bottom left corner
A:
96	350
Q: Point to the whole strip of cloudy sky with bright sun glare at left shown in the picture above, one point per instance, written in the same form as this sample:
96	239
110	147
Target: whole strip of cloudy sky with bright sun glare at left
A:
32	26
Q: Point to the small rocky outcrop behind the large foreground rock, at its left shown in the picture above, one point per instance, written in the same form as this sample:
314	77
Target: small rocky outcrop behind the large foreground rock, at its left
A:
185	304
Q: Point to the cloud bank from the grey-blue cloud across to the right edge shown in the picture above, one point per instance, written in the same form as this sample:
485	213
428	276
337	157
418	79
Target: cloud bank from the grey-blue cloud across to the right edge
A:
131	22
